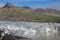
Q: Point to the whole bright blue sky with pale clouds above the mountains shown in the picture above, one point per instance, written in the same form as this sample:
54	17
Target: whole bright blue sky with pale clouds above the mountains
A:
33	3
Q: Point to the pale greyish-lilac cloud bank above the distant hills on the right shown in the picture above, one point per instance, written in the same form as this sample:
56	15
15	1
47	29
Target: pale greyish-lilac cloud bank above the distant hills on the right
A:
54	5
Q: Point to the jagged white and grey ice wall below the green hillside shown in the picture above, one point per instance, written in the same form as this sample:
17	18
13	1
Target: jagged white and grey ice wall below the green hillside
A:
28	29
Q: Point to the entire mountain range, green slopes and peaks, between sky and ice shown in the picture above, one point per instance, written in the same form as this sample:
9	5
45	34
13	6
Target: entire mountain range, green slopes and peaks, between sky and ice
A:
24	13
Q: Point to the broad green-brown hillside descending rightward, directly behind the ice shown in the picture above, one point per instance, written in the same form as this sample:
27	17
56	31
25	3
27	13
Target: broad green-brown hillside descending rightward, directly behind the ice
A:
23	14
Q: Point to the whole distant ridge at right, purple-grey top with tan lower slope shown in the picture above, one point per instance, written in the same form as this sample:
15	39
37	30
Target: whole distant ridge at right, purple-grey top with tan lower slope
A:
48	11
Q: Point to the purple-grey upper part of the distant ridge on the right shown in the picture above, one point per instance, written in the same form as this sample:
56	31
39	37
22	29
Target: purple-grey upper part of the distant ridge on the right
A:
47	10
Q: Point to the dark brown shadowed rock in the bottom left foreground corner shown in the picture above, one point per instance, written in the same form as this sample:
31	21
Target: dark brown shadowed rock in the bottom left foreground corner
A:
11	37
